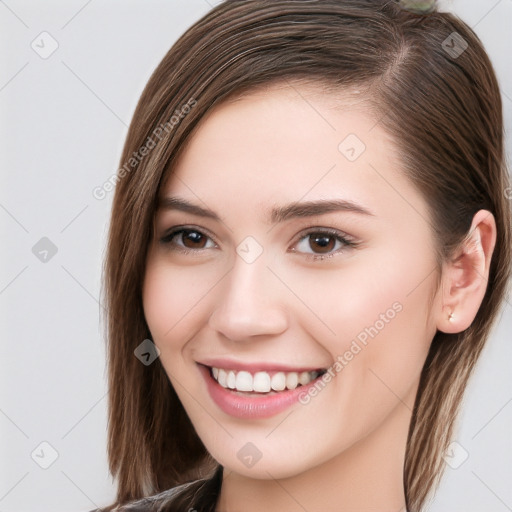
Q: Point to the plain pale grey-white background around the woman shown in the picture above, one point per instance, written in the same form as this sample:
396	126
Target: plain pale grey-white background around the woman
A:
63	121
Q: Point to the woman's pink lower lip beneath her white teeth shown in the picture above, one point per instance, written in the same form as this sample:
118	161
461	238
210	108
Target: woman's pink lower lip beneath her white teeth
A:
252	407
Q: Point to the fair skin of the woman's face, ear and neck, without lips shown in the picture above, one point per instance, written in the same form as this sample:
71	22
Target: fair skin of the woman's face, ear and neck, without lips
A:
344	449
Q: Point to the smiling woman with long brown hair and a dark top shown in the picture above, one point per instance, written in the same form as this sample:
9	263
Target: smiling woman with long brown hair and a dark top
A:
309	244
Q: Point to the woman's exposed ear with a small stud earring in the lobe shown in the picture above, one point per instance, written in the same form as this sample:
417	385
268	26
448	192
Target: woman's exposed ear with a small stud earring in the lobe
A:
465	276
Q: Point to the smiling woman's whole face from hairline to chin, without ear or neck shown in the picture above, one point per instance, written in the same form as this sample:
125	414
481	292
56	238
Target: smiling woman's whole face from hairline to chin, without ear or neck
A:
288	243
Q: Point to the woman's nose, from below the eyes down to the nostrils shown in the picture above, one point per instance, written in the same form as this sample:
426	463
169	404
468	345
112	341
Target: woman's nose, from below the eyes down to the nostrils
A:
248	303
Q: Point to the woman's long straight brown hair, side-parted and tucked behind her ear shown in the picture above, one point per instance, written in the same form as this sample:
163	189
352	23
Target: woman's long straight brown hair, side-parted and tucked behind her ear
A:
439	100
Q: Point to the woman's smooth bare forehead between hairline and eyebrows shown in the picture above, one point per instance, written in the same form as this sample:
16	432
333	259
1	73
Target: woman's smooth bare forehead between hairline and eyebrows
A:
285	143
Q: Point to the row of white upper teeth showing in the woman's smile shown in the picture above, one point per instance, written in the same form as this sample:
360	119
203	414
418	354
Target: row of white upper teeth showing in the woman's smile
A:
262	382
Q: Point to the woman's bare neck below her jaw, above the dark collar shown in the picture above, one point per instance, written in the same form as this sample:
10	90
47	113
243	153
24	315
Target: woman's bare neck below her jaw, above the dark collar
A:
366	478
